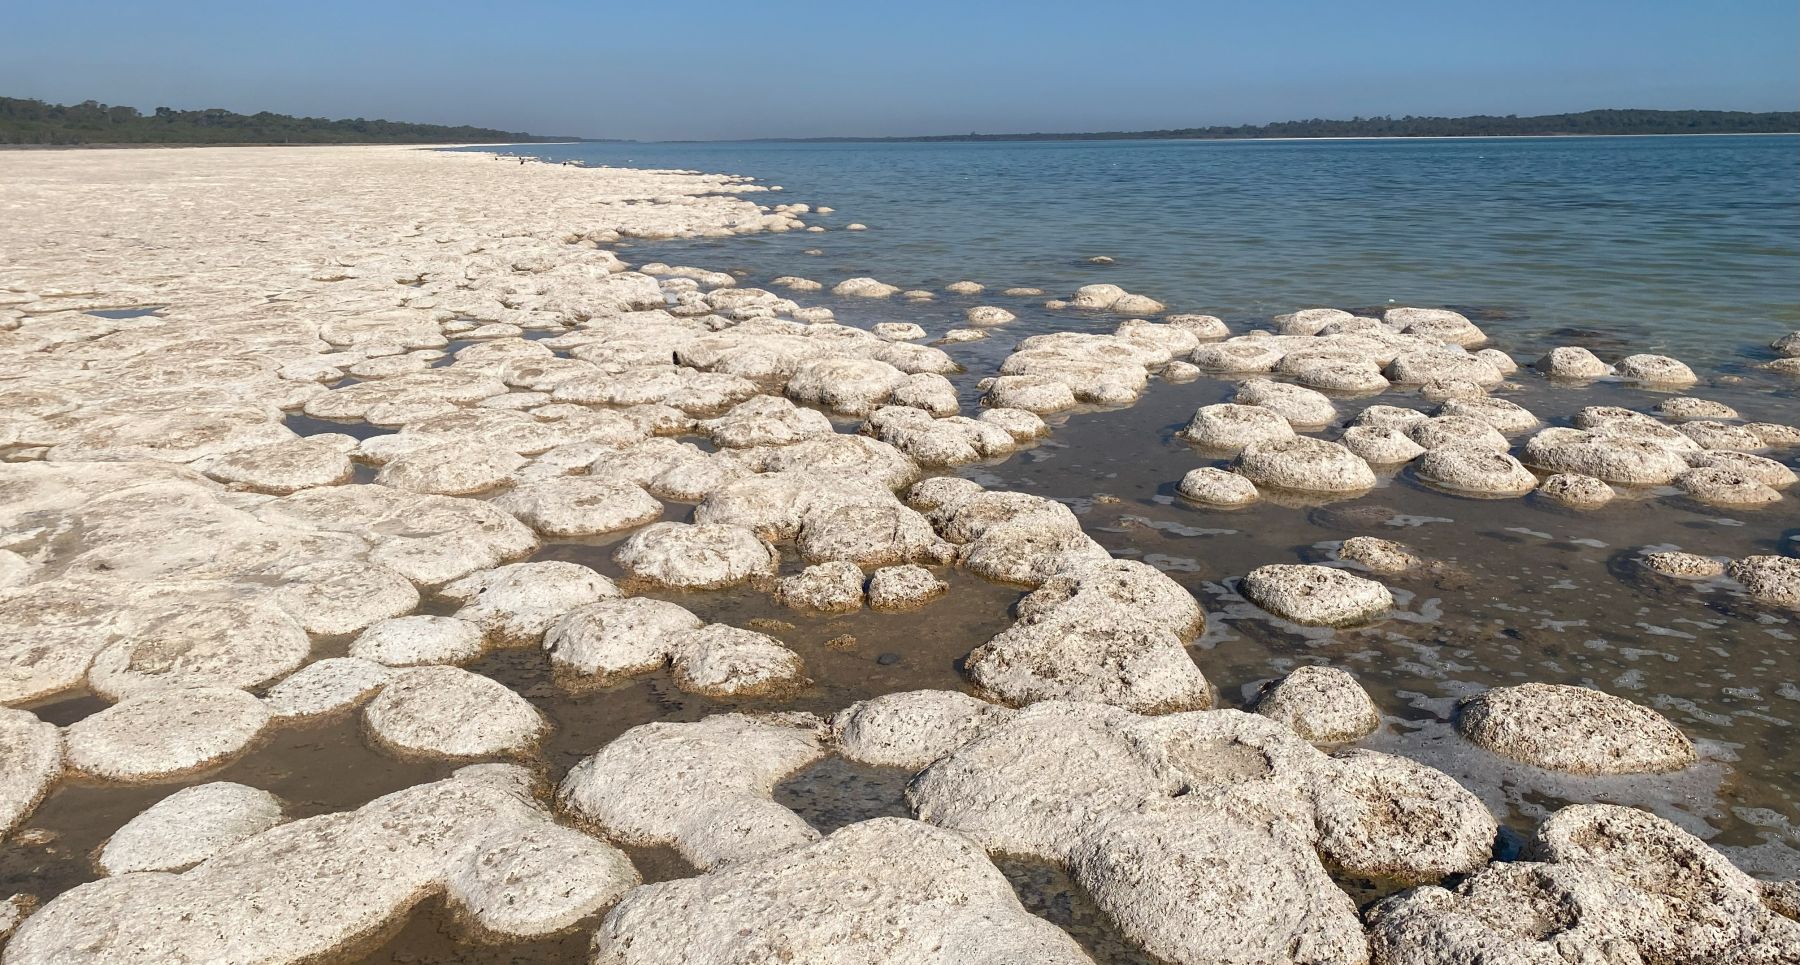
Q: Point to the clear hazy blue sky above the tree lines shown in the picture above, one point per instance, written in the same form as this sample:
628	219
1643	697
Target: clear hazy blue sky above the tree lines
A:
703	69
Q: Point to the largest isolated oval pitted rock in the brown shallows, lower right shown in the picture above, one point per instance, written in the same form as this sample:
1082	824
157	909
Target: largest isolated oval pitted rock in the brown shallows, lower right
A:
1576	730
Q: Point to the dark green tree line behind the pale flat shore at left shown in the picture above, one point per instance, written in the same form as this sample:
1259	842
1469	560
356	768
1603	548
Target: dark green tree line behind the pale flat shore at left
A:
94	123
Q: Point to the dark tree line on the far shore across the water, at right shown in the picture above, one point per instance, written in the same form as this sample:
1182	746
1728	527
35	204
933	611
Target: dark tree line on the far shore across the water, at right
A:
1482	125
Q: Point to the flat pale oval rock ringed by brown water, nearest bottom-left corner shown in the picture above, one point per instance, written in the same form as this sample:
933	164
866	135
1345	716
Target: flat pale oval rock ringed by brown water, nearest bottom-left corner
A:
190	827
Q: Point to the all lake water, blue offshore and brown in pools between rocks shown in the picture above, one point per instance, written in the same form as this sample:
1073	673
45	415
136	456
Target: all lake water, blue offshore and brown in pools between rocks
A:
1520	590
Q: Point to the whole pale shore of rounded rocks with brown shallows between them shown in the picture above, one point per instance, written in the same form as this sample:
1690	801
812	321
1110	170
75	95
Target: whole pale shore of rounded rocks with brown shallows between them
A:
413	437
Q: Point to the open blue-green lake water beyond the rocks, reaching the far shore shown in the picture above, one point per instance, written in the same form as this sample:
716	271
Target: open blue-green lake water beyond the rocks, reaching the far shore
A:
1687	246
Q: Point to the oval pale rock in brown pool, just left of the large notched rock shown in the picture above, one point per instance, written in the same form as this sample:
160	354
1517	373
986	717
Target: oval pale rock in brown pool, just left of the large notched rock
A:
444	712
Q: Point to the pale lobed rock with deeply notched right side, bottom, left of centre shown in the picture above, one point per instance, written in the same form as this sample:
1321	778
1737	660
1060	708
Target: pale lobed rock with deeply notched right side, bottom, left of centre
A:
705	788
